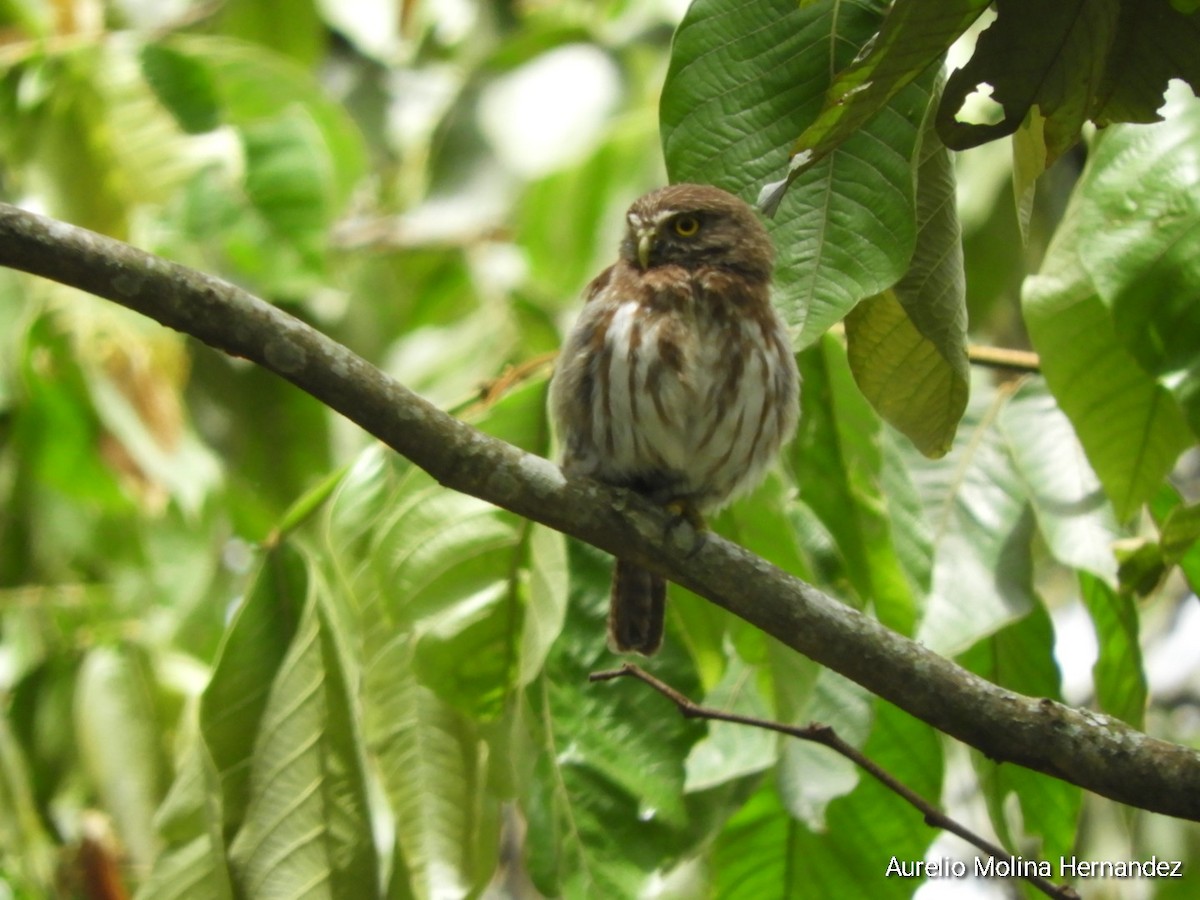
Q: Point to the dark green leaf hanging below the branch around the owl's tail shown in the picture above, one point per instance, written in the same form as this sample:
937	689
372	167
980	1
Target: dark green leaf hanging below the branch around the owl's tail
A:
605	797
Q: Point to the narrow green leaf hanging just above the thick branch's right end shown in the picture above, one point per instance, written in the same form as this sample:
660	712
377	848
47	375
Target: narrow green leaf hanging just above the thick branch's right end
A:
1119	674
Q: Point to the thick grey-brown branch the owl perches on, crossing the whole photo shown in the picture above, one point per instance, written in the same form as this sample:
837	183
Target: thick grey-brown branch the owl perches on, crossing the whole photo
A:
1091	751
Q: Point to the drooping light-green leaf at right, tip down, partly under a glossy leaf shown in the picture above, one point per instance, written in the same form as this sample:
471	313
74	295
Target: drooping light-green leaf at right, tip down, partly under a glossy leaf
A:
1132	429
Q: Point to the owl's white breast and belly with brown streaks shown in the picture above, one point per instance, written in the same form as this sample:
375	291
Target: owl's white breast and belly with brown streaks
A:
676	400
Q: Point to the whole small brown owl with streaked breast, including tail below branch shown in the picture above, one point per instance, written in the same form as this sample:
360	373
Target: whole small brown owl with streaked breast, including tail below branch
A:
679	380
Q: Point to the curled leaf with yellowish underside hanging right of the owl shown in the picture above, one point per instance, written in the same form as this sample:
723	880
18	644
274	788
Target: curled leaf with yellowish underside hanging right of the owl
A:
908	346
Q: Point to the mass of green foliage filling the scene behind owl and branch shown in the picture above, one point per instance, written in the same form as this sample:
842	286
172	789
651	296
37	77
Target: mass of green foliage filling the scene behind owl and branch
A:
248	653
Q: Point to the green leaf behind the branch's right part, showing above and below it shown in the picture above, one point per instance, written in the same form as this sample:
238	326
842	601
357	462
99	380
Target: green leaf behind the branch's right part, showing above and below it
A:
1022	657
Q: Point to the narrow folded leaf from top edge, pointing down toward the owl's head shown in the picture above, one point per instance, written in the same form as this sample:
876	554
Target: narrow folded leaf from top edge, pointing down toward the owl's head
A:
913	39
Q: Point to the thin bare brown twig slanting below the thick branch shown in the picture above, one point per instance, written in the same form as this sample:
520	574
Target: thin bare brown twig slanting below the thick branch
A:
826	736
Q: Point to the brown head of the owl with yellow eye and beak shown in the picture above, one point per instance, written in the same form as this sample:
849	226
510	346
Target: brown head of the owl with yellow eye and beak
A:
695	226
